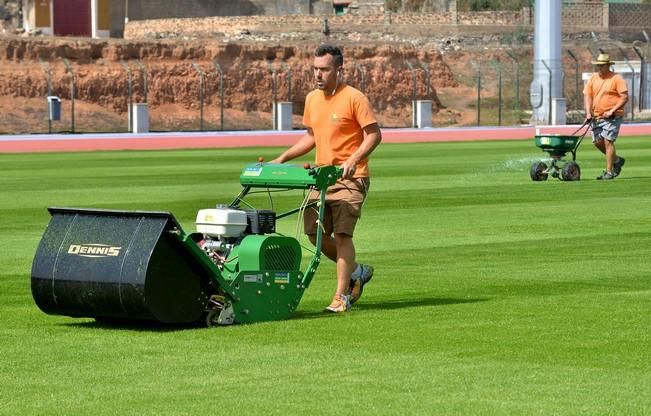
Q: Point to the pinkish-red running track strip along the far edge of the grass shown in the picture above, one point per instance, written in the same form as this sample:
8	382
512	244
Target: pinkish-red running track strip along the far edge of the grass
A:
127	141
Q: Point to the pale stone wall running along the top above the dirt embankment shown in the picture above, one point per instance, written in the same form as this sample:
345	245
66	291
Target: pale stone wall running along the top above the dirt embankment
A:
577	16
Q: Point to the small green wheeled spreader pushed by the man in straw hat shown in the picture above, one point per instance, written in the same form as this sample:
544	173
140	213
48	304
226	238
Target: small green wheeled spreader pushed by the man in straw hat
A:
556	165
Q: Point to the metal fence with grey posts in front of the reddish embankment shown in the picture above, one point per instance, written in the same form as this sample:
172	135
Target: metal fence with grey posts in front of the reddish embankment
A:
490	89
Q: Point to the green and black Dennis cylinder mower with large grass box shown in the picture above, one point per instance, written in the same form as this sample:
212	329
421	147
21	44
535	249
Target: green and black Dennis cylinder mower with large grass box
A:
142	266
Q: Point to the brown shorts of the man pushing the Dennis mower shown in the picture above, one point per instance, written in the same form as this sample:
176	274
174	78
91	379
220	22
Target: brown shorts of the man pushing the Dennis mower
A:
343	208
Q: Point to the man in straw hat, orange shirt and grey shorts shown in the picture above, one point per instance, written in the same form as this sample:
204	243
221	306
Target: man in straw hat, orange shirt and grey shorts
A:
605	96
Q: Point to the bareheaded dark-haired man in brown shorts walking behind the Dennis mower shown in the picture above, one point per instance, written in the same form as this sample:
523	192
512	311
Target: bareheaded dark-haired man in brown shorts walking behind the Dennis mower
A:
343	129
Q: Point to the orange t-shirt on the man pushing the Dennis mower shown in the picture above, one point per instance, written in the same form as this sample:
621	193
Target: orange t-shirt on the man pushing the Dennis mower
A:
337	122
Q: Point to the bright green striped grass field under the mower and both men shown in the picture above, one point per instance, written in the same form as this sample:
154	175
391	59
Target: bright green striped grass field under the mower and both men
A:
493	294
